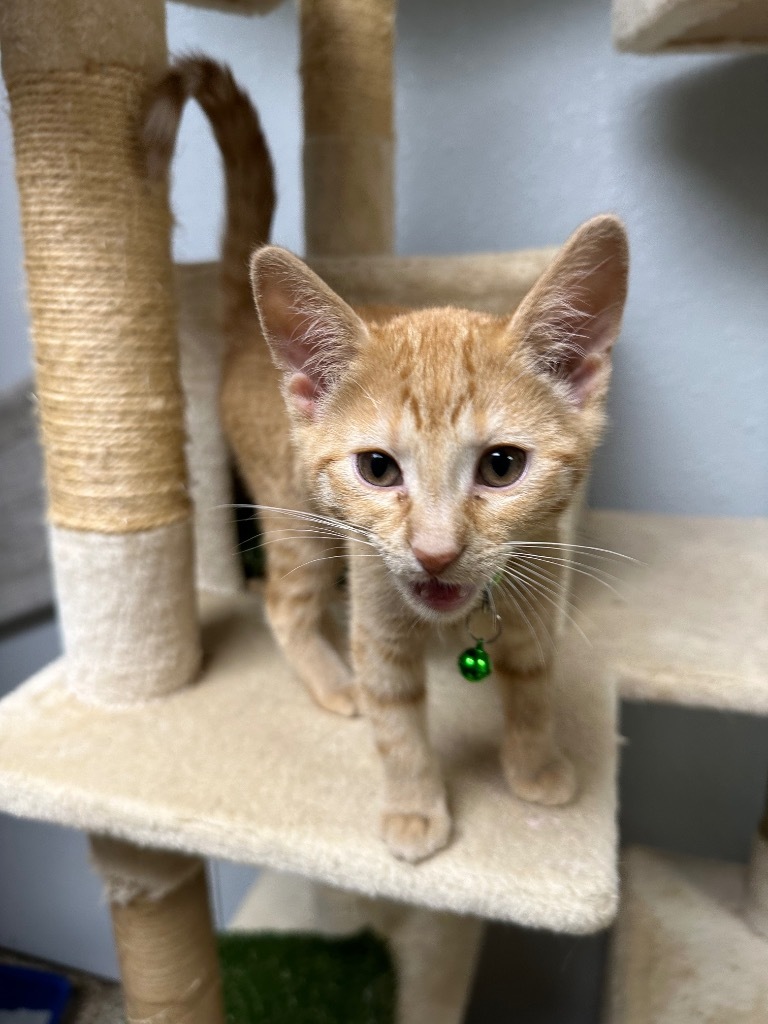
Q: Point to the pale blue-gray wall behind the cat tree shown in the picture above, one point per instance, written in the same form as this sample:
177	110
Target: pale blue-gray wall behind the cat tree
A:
517	121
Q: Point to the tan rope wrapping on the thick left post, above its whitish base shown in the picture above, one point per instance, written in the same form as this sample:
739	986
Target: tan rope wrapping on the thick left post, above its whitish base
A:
102	302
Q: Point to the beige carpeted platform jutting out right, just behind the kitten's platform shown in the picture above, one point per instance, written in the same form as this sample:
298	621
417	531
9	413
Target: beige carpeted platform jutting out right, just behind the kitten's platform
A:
689	623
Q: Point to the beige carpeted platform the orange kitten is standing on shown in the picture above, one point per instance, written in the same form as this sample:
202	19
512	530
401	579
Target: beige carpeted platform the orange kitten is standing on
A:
244	766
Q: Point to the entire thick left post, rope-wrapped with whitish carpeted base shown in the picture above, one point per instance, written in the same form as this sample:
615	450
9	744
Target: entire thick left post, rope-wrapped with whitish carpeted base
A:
103	313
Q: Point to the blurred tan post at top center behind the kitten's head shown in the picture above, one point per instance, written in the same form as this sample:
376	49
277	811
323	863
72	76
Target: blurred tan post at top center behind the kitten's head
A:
347	66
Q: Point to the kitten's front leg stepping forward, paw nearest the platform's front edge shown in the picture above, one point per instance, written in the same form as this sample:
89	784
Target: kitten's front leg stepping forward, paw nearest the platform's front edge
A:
389	659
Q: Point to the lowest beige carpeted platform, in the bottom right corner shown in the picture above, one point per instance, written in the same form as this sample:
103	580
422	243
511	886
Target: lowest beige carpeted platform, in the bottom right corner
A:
681	953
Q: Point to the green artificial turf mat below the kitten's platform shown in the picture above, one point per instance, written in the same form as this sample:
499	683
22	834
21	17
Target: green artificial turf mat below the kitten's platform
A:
306	979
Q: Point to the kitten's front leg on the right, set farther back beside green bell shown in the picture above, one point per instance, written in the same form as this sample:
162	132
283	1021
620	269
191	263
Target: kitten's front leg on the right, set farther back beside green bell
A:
534	765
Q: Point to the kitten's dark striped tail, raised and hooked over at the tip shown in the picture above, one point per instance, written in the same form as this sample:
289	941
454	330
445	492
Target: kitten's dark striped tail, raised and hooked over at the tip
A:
248	167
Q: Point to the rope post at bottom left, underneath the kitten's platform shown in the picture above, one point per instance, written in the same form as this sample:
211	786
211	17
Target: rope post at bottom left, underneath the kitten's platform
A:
162	925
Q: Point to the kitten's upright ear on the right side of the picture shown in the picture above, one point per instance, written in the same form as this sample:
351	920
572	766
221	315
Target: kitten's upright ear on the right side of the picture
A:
571	319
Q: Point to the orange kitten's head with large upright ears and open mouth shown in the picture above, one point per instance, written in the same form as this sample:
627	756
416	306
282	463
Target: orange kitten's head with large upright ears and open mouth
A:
447	436
